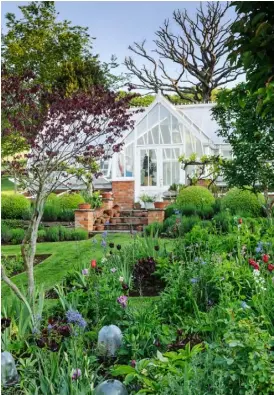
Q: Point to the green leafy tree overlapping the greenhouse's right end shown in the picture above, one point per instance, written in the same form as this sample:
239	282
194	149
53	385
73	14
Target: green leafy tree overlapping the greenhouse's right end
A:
251	137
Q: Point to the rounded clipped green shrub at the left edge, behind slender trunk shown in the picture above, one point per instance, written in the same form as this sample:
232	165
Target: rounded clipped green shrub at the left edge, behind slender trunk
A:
15	207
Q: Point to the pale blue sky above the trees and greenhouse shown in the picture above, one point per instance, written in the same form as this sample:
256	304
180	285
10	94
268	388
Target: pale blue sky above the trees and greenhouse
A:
115	24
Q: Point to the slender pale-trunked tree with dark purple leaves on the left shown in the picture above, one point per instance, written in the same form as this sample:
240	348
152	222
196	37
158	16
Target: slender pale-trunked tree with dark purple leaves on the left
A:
57	129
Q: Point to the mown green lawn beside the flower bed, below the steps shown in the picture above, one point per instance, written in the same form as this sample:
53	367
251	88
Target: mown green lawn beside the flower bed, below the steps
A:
65	256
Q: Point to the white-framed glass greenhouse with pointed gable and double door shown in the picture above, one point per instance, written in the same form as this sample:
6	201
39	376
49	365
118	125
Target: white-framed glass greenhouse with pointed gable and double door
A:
162	133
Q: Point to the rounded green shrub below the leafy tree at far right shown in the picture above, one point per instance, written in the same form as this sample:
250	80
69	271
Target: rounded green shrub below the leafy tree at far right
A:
238	201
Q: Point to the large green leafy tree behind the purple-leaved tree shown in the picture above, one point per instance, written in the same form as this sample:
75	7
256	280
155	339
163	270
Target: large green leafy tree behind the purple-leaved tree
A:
58	53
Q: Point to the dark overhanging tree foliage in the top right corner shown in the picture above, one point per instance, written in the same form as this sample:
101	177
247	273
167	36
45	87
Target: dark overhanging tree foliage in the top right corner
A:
252	48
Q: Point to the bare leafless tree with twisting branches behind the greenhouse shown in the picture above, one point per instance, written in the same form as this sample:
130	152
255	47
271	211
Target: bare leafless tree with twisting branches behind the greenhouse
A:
199	50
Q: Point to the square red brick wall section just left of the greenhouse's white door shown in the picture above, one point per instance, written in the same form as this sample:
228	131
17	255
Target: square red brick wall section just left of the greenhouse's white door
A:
123	194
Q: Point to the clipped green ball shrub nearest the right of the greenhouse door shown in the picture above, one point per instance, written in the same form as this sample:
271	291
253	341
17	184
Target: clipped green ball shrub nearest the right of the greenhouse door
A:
196	196
